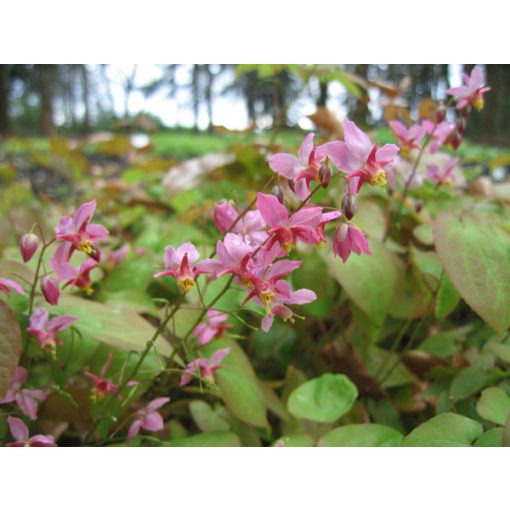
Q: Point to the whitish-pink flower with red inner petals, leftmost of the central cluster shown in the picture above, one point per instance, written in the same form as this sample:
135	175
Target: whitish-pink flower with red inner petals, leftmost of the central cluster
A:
177	264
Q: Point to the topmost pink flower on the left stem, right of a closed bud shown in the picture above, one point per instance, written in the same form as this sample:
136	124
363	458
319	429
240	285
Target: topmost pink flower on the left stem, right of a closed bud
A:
80	233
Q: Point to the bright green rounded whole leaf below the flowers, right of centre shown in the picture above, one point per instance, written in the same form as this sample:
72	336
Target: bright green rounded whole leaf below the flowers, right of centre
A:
324	399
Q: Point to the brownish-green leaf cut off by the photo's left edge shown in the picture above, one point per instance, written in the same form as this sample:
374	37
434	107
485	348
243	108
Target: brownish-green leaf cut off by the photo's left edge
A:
10	347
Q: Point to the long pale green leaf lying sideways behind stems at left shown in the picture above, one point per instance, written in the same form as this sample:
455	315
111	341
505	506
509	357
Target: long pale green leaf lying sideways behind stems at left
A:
112	324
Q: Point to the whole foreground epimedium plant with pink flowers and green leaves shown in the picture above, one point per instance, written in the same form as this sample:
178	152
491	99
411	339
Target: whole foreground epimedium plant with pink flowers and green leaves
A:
280	336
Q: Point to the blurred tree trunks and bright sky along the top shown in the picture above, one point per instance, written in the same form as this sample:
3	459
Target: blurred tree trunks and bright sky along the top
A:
79	99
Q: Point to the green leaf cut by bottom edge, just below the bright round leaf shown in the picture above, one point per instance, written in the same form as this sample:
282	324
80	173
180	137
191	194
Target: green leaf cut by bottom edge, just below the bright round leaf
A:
363	434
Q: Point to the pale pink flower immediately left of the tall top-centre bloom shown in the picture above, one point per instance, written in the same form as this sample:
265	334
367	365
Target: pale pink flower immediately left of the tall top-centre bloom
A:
302	170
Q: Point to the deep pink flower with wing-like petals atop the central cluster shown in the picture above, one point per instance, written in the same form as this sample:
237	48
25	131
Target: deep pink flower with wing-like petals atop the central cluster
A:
288	229
